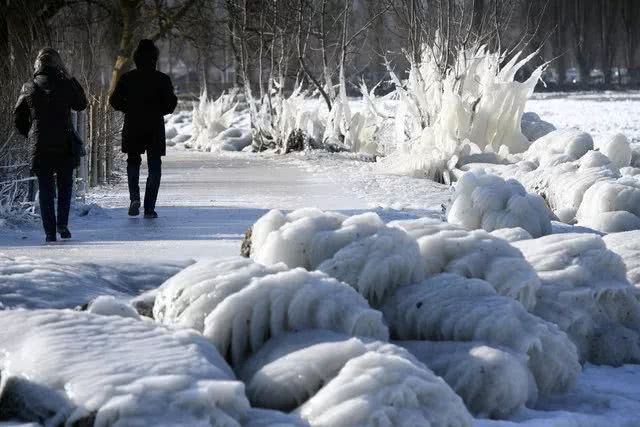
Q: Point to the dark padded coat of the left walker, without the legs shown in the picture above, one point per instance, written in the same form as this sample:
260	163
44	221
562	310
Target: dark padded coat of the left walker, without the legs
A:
43	113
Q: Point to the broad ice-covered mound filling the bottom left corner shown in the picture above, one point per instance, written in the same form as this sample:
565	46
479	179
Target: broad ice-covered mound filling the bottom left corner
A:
107	370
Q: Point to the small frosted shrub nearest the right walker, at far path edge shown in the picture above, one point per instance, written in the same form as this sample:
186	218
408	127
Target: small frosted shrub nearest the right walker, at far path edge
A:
211	122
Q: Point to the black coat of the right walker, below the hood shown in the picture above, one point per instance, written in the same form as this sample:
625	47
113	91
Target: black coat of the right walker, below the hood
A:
144	95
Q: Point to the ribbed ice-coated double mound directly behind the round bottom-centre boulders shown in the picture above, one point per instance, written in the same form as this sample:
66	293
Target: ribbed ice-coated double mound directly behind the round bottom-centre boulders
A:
238	305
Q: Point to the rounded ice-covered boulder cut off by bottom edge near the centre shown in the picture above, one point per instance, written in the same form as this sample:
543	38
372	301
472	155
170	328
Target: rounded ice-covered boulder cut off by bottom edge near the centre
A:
378	389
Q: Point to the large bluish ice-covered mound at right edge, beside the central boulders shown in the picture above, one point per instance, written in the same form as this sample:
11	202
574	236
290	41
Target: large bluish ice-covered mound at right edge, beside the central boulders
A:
585	292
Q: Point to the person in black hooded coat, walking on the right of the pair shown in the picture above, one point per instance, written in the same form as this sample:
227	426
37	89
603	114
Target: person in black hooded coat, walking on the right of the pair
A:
144	95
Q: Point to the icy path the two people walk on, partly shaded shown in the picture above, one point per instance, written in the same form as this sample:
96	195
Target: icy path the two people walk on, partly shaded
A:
206	203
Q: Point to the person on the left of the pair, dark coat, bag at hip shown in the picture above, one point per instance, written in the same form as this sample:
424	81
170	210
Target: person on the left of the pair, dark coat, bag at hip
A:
43	115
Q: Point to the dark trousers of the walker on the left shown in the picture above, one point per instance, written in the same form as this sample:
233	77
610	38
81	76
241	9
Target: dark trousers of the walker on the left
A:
54	176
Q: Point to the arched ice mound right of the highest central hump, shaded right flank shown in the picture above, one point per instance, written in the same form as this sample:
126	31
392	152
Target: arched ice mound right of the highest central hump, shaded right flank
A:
473	254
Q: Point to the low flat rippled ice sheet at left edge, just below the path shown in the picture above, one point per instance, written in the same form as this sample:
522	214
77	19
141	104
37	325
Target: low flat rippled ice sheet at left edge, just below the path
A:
45	283
